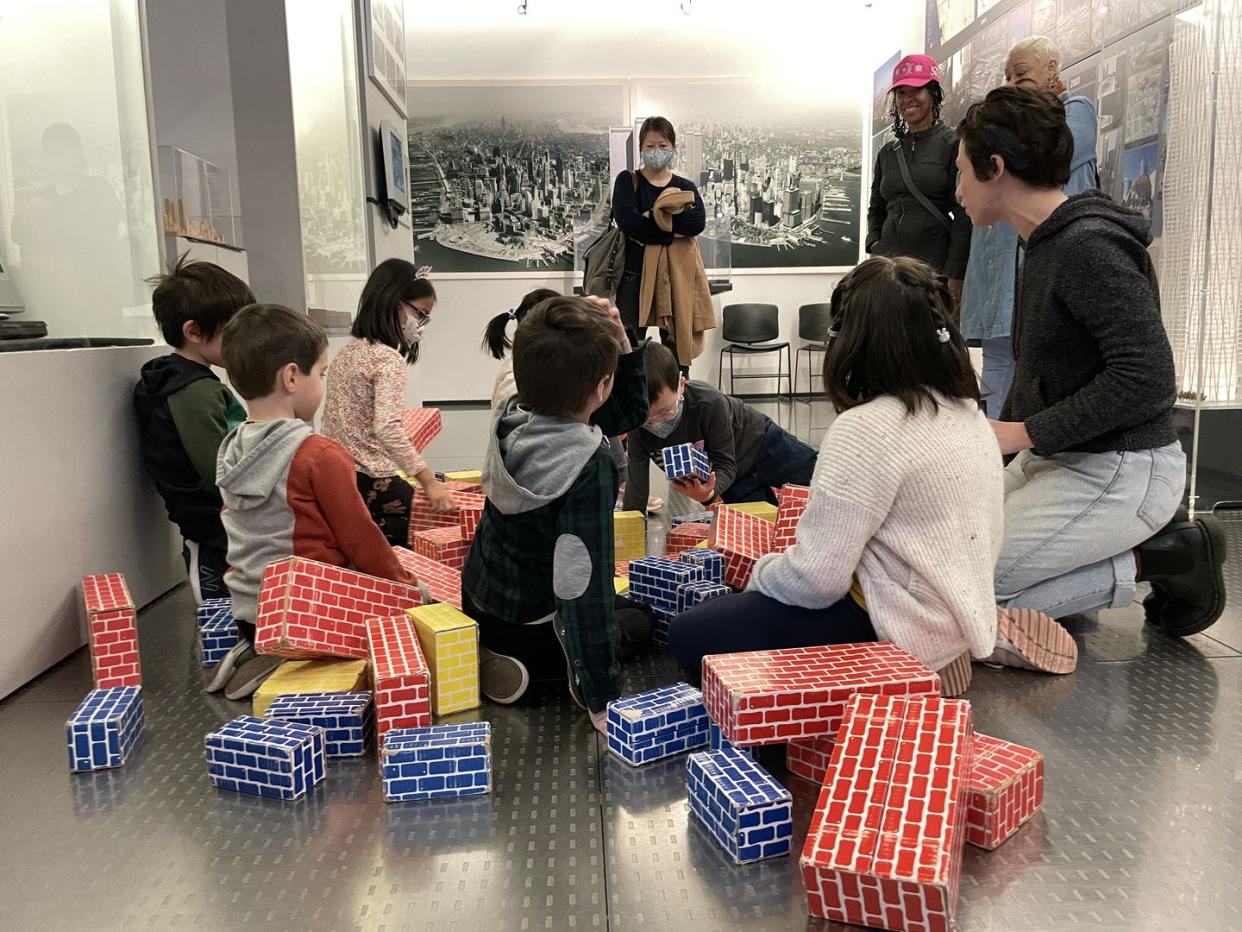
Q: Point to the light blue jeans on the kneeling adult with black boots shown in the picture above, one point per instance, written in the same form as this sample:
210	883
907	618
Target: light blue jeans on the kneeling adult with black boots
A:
1072	523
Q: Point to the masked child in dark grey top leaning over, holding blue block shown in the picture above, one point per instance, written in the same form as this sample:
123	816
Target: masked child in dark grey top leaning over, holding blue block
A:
750	453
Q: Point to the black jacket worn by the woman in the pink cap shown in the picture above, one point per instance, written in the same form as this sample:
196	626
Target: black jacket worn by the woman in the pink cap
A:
899	226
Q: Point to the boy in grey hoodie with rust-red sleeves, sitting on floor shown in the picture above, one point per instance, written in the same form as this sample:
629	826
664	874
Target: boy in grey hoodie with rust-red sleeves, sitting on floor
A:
288	490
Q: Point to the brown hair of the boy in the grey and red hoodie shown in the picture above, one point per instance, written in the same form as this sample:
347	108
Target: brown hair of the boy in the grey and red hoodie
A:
265	339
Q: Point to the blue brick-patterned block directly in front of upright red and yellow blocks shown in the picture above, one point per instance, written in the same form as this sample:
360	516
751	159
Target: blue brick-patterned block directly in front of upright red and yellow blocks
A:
438	762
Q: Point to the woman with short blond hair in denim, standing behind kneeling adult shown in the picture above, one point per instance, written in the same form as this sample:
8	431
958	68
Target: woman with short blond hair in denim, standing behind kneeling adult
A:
988	293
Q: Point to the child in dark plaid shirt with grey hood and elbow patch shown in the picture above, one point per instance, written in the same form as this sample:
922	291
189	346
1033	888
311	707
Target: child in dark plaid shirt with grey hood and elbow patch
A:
540	576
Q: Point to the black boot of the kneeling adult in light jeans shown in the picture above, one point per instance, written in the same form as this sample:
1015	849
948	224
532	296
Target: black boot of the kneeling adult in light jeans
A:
1184	564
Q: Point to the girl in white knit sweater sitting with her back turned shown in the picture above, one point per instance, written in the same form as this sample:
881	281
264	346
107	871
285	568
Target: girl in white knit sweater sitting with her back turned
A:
905	521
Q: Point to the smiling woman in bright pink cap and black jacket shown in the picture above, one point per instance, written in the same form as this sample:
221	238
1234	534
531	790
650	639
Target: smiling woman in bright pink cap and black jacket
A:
913	211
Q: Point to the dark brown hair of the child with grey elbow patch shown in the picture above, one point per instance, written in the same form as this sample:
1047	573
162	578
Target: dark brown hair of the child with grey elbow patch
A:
561	352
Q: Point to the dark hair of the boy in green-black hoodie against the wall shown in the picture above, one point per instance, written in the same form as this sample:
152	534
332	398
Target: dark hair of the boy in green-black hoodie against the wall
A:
197	291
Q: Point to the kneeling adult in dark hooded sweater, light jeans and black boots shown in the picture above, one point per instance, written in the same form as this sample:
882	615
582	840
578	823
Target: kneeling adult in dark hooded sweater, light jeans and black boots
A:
1099	469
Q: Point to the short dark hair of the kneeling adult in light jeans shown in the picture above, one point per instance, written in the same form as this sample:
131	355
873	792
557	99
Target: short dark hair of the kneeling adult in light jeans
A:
1027	129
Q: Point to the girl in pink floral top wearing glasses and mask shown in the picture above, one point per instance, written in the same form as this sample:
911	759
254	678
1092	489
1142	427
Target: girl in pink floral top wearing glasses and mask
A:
367	397
